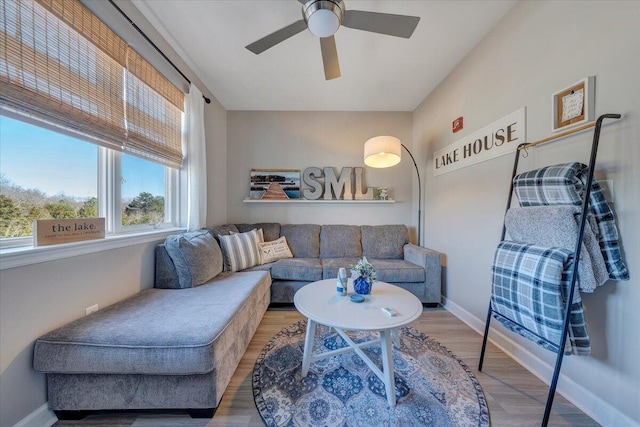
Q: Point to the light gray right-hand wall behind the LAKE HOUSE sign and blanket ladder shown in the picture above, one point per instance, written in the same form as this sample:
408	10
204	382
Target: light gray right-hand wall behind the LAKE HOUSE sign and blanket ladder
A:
537	49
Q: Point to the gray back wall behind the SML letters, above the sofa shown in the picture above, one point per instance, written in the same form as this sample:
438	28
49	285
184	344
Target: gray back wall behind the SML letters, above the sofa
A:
297	140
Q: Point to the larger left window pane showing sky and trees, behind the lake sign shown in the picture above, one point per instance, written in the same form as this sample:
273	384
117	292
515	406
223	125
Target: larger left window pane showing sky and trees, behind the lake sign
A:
43	175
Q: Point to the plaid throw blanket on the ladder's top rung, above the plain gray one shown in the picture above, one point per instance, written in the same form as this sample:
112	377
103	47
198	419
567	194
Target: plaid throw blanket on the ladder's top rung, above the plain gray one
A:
565	184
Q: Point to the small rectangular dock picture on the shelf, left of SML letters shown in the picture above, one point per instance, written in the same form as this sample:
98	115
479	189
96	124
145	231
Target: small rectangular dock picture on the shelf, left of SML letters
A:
275	184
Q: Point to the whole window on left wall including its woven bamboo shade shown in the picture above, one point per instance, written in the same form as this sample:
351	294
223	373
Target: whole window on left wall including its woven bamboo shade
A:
88	127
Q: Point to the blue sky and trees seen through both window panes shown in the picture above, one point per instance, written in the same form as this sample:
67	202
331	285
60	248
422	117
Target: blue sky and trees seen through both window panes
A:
47	175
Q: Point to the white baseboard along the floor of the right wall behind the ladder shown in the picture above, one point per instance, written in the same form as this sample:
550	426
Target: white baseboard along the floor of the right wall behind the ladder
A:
589	403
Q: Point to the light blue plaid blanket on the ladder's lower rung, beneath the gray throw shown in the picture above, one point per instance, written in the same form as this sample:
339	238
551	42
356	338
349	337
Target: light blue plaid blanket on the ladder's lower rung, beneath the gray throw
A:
529	289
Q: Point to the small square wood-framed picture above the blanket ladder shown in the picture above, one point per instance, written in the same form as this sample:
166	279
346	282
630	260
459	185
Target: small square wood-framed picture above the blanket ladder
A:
574	105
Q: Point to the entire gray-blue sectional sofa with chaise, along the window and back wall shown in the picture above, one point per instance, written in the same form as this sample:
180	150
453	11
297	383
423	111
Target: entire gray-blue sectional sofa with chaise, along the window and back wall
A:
177	345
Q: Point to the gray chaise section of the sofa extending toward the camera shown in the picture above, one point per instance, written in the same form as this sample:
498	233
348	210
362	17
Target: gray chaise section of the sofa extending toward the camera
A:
159	349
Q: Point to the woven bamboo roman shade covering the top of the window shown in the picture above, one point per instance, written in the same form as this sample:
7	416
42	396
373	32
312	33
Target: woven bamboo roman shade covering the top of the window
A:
61	64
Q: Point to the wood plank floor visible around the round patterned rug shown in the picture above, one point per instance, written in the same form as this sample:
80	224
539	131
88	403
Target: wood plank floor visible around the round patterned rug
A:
515	397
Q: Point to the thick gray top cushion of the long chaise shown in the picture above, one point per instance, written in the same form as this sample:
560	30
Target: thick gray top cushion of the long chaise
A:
157	331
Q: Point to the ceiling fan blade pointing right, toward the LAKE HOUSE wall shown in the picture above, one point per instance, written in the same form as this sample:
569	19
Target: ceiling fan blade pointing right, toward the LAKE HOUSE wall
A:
383	23
